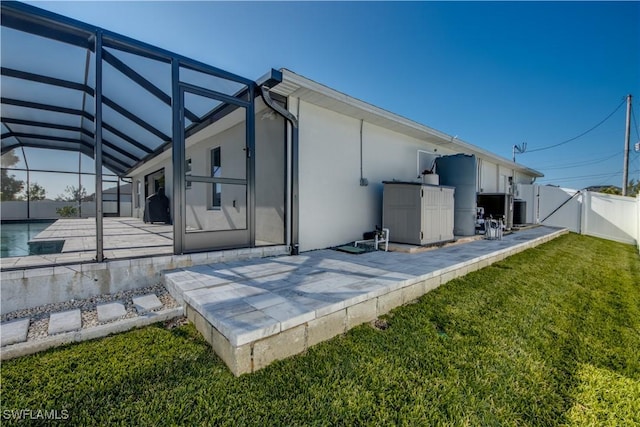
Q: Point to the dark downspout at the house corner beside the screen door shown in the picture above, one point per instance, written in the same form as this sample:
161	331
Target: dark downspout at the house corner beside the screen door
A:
294	204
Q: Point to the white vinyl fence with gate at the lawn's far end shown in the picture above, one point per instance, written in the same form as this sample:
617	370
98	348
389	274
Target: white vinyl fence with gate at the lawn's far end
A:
595	214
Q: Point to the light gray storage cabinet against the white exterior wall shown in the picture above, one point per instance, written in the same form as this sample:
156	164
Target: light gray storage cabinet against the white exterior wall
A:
418	214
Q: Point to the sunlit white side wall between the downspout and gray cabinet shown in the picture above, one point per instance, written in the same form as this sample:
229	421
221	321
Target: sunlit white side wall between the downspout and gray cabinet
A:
334	208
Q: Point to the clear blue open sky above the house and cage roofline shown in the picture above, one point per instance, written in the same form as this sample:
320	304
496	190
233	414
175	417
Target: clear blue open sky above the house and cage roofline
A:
493	73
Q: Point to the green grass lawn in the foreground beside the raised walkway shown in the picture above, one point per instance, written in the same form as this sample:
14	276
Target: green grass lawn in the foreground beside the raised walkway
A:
550	336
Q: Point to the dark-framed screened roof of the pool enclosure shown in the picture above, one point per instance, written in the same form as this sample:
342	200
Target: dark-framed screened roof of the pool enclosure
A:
48	77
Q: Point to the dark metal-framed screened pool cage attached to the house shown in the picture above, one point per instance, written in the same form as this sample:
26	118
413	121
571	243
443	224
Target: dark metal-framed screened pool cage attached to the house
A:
87	113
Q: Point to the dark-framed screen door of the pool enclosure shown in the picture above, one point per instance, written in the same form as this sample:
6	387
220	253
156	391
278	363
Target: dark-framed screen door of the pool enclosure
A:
216	132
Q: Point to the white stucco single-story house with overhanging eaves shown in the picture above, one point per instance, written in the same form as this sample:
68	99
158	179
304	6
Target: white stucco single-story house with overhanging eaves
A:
318	173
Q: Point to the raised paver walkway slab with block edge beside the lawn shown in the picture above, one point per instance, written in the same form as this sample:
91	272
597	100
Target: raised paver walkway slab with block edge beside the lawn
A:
257	311
